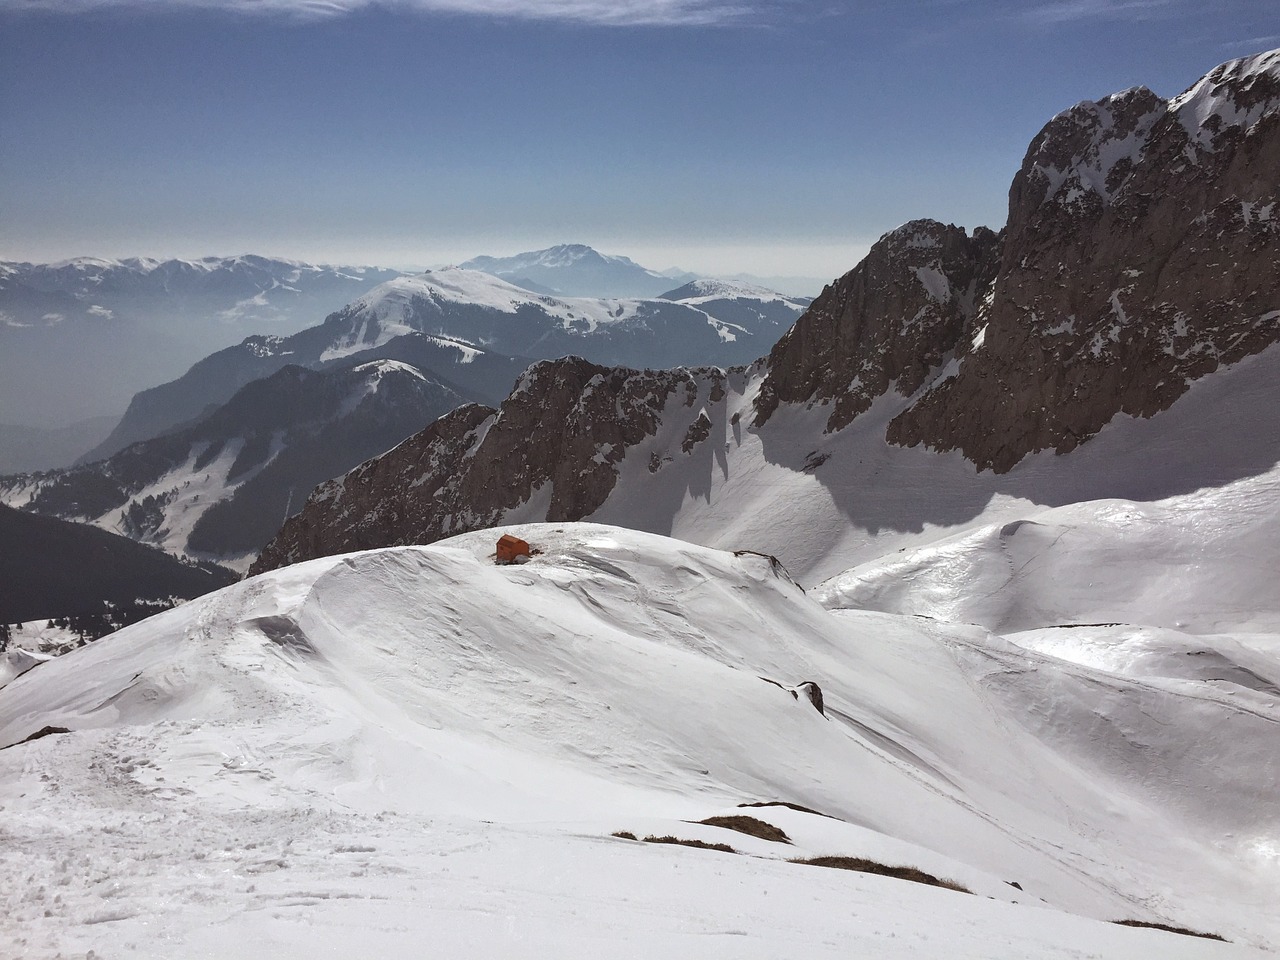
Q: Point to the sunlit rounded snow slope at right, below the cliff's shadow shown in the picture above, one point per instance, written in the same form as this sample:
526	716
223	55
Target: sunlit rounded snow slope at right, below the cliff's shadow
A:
1095	563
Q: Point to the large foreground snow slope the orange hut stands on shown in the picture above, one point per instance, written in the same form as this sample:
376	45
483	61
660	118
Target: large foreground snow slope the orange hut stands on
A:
364	752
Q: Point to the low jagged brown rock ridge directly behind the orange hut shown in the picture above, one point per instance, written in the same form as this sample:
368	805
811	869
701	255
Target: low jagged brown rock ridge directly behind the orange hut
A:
552	449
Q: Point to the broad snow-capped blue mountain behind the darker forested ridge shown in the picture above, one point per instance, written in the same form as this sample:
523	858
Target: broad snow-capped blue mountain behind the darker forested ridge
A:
474	331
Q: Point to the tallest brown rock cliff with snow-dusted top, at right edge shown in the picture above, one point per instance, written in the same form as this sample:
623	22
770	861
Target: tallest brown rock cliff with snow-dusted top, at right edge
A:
1140	257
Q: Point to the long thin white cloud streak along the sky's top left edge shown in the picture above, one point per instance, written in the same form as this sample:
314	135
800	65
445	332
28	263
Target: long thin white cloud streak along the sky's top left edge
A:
606	13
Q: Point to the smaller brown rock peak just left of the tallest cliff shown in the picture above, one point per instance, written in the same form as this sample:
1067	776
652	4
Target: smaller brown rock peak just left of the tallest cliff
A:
888	324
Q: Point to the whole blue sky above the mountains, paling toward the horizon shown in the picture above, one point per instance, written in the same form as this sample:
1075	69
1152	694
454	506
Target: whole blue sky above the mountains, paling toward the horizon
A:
776	138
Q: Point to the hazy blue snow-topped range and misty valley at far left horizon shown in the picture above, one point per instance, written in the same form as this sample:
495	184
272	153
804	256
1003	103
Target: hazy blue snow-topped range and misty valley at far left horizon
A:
115	327
